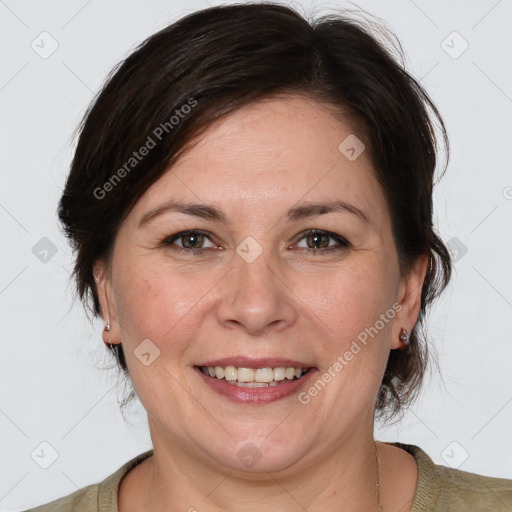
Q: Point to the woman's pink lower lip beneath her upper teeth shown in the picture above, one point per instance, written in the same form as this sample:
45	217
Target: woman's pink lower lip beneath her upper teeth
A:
255	395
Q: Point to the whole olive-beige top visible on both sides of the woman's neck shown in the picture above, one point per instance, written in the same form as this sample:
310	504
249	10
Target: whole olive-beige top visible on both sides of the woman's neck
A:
439	489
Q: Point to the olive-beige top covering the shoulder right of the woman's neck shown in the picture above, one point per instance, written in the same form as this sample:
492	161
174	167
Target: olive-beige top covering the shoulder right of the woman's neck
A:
444	489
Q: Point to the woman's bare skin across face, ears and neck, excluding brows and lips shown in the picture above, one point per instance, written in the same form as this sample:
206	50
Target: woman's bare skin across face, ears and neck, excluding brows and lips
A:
254	165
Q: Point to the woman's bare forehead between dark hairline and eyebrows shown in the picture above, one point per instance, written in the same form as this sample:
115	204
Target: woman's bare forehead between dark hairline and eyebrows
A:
268	154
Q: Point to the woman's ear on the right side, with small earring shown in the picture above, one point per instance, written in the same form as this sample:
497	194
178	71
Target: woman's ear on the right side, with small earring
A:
409	298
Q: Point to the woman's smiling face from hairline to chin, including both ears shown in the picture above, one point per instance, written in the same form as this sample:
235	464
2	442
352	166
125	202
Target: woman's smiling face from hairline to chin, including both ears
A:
254	286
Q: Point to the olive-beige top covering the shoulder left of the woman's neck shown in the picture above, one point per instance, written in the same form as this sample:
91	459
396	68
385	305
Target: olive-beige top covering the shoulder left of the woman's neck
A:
93	498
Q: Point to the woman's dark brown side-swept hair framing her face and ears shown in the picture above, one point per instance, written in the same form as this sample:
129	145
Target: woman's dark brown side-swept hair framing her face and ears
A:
212	62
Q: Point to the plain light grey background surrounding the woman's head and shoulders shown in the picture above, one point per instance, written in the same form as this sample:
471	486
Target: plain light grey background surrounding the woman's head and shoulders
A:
52	386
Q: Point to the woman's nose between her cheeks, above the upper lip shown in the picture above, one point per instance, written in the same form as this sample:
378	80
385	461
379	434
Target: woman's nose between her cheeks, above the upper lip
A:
256	298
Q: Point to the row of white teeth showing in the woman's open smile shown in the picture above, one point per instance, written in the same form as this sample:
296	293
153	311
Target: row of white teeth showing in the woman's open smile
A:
254	377
